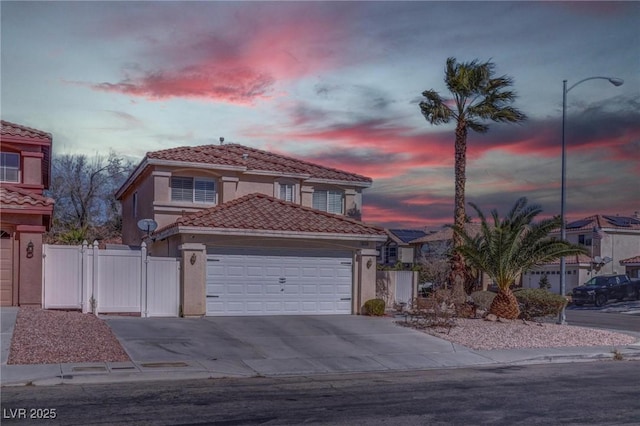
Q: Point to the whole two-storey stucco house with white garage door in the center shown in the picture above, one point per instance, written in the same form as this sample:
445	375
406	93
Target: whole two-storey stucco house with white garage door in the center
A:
258	232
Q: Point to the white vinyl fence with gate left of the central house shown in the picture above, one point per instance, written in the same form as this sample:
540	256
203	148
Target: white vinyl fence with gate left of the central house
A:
110	281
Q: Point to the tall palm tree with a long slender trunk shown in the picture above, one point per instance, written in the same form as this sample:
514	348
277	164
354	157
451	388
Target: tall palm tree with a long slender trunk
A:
477	96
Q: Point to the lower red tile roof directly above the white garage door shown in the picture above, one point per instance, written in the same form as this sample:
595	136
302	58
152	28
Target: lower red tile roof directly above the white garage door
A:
262	212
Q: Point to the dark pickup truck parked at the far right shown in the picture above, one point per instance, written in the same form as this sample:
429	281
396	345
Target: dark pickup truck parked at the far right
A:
599	290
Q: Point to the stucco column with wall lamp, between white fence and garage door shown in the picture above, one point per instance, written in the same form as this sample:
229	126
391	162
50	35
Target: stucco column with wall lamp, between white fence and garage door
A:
193	279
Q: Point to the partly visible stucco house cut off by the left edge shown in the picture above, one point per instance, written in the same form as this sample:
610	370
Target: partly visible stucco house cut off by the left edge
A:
25	171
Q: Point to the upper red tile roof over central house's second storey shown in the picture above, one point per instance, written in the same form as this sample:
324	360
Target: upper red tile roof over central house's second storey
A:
253	159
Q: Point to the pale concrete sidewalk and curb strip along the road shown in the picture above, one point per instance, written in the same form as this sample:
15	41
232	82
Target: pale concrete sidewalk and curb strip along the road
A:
105	373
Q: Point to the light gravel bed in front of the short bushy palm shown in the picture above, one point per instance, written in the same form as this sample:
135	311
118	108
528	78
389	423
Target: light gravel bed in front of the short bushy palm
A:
517	334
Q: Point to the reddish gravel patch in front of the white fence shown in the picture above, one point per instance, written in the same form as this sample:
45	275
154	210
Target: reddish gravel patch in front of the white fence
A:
51	337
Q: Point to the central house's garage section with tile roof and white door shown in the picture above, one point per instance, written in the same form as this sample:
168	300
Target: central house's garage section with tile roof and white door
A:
265	256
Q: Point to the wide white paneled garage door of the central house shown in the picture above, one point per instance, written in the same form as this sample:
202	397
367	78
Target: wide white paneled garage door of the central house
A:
278	282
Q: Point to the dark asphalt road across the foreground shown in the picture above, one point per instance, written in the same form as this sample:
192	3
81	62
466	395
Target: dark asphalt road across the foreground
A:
600	393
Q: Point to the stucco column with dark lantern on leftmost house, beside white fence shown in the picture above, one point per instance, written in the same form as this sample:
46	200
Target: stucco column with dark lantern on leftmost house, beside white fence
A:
30	265
